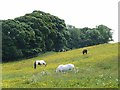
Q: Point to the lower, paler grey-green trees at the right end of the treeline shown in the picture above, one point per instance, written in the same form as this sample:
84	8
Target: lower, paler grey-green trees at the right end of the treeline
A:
82	37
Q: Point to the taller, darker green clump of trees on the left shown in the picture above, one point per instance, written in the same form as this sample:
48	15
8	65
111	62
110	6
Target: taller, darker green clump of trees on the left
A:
31	34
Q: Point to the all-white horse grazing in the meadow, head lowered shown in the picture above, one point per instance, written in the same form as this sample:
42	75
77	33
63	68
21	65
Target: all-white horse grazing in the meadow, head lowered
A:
66	67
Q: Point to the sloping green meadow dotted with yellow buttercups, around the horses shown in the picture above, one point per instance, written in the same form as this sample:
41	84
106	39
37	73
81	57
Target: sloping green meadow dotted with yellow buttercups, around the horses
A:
97	69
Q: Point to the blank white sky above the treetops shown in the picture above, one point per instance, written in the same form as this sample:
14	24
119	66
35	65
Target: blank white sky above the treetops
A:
79	13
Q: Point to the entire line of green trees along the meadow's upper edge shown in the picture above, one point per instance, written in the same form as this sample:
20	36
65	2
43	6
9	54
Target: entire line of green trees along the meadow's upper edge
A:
39	32
